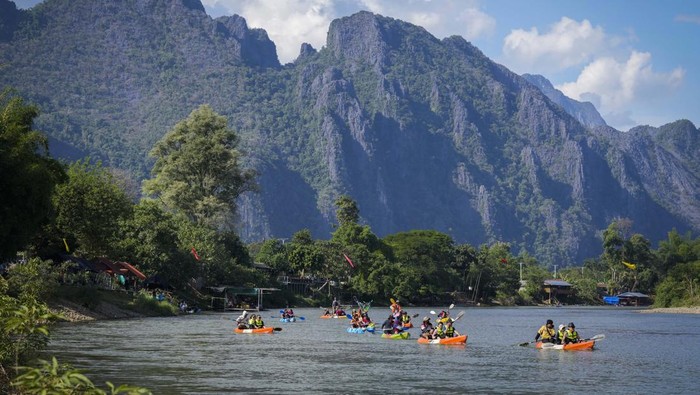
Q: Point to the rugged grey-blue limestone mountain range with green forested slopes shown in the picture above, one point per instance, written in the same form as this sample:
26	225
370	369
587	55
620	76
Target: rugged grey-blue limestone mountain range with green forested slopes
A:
423	133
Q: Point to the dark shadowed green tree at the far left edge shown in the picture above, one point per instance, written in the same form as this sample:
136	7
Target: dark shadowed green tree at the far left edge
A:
27	175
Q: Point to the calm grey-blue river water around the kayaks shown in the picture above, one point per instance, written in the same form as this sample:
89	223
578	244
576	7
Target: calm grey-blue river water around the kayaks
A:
200	354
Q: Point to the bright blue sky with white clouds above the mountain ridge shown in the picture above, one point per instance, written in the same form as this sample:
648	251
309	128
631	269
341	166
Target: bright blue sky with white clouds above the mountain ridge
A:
637	61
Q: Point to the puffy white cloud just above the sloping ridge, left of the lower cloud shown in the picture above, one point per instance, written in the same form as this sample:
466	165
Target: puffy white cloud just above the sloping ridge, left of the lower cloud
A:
568	43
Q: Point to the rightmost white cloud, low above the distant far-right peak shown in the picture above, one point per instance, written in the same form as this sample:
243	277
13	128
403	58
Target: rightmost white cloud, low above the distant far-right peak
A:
614	87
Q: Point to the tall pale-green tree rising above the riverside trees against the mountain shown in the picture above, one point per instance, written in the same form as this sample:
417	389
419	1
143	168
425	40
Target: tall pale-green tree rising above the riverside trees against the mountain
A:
197	170
